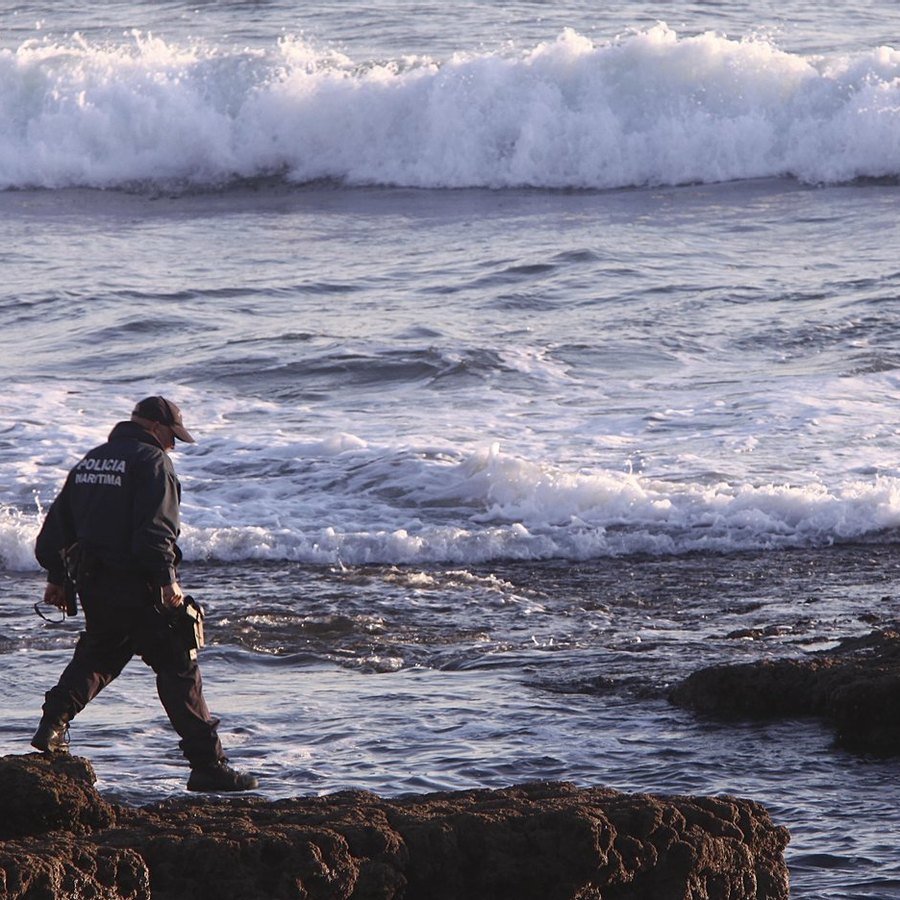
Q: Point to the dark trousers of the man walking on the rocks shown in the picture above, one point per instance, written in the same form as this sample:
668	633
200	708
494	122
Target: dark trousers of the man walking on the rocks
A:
121	621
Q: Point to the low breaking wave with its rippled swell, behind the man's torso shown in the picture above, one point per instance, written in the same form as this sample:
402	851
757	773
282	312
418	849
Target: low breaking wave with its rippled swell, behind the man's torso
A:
483	506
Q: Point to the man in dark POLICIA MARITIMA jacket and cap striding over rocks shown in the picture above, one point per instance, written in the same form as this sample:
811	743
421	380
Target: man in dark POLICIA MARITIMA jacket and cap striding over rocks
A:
118	516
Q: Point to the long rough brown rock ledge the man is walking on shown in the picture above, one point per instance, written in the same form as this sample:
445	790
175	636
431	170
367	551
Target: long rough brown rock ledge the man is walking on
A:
546	841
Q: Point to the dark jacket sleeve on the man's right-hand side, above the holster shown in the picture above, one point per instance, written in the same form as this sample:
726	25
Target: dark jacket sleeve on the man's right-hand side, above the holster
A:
157	521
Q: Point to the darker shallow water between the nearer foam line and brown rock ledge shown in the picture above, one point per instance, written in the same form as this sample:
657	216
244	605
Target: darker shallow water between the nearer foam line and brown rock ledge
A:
396	680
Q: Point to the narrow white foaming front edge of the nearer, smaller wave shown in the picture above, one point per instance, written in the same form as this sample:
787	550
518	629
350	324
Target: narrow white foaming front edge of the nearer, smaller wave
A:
600	518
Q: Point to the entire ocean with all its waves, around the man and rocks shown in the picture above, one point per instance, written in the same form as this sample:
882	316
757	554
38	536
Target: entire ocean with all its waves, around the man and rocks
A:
538	355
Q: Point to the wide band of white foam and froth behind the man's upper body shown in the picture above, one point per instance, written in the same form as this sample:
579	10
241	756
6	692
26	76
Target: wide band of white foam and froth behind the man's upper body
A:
269	489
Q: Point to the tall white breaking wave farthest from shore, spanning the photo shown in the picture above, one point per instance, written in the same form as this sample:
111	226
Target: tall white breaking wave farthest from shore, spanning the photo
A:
650	108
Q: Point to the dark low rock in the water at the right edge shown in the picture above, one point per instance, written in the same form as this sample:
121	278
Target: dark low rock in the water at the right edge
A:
855	686
